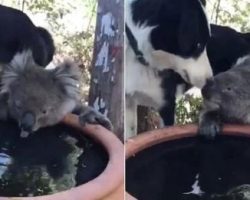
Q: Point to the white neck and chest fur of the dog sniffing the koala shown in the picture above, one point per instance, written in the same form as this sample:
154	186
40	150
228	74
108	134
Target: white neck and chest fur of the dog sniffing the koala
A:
138	78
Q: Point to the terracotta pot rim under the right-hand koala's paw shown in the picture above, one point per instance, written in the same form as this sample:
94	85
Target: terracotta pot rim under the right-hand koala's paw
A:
151	138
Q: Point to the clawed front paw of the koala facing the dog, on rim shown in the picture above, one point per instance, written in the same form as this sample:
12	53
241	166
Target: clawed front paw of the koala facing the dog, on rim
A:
209	128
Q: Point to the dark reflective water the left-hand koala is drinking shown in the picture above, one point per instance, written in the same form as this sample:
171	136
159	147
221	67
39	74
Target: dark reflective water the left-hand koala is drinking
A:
51	160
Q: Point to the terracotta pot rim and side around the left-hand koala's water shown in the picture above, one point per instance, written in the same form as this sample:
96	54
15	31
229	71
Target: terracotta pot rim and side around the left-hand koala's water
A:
107	186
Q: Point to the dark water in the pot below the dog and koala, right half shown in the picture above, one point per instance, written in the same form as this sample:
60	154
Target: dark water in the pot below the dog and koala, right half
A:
169	170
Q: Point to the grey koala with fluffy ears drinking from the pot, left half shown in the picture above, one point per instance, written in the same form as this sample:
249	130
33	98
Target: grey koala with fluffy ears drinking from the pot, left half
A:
36	97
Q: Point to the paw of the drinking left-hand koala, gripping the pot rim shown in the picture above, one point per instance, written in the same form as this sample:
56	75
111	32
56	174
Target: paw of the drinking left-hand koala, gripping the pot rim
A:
91	116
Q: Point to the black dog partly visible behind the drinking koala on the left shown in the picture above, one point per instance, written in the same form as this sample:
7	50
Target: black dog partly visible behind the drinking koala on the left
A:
18	33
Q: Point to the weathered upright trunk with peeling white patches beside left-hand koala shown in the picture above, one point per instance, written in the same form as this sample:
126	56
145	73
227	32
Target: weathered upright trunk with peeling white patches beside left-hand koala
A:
106	89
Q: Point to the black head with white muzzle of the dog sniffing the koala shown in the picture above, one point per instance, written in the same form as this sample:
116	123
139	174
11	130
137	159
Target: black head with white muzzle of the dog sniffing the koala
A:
180	39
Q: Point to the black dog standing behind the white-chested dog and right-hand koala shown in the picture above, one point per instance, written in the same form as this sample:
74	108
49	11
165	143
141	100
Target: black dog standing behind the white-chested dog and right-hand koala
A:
225	48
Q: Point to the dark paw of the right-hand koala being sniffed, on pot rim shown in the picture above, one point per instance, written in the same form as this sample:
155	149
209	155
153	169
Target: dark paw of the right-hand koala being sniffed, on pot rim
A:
209	126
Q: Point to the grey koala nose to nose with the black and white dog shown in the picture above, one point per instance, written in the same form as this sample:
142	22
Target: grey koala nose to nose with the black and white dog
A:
226	99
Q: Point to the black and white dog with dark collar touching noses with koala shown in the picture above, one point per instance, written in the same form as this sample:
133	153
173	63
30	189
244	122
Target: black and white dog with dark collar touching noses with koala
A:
162	34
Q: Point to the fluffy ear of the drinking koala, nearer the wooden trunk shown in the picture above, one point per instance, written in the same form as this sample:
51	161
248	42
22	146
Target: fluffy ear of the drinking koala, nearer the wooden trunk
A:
67	75
